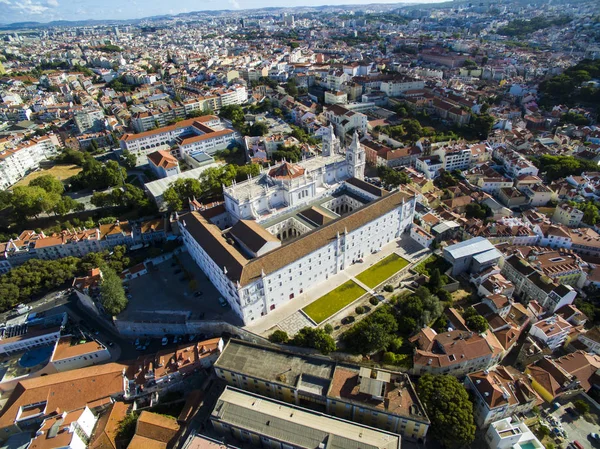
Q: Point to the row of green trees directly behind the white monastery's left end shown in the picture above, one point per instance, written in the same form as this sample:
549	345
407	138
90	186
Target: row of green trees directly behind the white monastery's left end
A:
209	186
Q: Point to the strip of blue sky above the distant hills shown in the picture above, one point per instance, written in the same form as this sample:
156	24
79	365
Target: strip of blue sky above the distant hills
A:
48	10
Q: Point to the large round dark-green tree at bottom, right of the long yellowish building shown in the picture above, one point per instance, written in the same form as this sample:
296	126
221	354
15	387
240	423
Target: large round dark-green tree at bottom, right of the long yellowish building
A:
448	406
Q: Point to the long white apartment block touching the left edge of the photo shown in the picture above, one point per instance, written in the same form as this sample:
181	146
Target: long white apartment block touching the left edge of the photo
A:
16	162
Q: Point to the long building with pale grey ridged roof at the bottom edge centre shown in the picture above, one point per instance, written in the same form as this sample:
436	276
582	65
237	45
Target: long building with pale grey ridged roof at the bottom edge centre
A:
262	422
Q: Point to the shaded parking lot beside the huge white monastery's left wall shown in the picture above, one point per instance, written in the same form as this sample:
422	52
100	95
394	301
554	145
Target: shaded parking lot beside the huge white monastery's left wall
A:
167	289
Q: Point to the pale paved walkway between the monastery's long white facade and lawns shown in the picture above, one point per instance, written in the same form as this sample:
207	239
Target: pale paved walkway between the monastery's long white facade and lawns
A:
405	247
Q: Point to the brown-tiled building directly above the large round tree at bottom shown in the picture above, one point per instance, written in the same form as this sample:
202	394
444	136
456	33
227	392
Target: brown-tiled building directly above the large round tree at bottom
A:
455	352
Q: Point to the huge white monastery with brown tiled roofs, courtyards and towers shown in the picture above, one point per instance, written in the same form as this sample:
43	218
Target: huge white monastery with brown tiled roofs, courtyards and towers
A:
294	226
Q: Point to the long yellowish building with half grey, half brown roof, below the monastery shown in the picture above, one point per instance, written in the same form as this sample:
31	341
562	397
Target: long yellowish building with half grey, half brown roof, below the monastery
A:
377	398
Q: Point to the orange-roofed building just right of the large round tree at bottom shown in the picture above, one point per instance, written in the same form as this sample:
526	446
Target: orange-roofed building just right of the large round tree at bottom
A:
500	393
